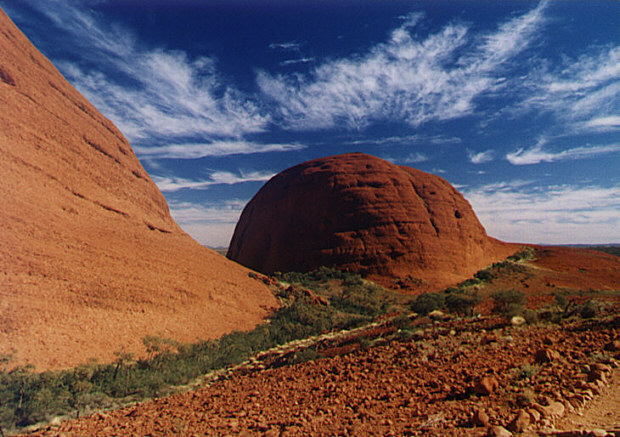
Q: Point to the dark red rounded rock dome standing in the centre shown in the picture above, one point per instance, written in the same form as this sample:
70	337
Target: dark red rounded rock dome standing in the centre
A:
362	213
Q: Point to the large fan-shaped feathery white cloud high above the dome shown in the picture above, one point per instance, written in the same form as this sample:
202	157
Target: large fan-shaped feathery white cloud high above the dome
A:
404	79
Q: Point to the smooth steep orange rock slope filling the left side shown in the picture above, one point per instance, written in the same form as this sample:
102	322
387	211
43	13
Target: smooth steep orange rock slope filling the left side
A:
90	259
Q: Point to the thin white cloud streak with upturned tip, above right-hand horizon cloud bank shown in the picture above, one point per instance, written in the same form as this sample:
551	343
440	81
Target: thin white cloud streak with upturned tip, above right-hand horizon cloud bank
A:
536	154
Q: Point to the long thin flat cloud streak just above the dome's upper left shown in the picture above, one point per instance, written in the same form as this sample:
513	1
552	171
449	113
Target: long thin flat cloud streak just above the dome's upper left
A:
216	148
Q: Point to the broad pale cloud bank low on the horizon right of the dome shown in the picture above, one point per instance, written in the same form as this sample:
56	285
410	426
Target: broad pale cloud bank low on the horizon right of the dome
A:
553	215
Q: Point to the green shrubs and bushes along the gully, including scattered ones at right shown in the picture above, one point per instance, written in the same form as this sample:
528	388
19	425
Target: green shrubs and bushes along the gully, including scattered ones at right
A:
335	300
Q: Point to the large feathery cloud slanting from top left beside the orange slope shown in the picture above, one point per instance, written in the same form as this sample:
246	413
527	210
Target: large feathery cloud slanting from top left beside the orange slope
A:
155	96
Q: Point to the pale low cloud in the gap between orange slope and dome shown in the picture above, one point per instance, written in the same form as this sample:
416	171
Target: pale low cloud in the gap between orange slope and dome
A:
209	224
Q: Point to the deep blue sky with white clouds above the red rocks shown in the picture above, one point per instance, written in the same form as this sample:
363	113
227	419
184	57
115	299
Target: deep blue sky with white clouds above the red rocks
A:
515	103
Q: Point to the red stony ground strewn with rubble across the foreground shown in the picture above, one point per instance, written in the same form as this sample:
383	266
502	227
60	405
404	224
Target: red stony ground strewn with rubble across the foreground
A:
461	377
